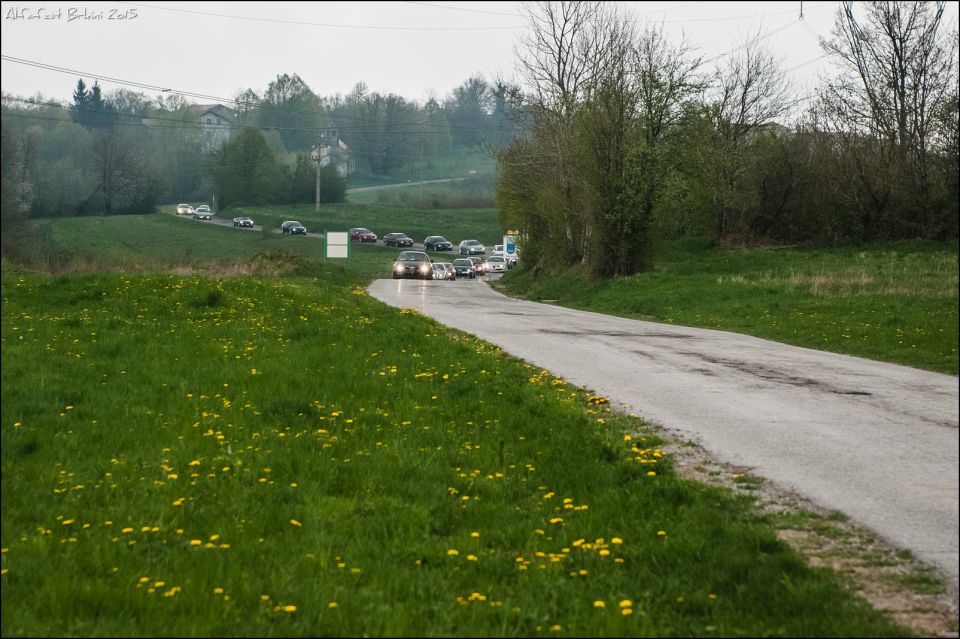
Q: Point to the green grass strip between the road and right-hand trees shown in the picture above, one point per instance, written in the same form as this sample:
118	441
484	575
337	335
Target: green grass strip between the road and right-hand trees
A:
894	303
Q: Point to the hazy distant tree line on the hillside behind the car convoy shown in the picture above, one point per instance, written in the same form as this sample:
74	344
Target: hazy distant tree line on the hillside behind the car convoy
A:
122	152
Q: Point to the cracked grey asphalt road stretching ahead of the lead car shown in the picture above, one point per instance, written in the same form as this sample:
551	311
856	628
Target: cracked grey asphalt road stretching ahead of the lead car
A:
877	442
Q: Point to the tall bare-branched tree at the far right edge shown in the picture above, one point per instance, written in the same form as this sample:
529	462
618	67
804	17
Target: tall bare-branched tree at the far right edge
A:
898	70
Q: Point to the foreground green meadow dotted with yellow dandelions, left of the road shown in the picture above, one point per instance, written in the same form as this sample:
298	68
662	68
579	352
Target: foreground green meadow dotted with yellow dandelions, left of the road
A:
185	455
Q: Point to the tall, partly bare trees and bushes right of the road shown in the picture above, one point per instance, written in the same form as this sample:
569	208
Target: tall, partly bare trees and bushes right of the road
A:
629	137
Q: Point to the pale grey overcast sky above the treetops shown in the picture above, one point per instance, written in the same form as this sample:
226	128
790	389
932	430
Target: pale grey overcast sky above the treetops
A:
414	49
